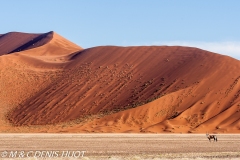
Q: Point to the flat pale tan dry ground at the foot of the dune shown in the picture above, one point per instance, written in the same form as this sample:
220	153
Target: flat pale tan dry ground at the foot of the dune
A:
125	146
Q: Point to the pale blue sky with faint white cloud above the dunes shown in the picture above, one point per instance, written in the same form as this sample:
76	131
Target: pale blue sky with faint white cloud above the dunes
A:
213	25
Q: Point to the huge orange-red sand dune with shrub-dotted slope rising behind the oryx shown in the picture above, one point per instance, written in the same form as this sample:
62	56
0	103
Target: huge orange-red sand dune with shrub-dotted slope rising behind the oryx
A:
59	87
